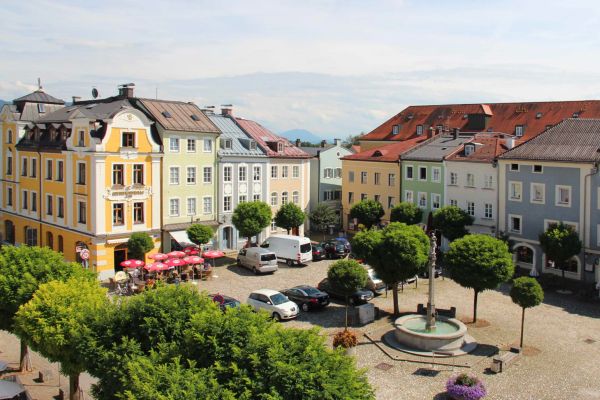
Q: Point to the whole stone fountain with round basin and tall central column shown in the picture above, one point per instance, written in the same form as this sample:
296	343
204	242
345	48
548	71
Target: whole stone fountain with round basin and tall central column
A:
431	334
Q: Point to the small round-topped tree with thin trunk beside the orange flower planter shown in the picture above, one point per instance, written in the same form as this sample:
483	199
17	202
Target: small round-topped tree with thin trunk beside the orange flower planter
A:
346	277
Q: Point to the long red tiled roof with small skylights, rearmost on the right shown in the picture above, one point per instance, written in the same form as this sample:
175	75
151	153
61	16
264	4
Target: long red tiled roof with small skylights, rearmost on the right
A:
502	117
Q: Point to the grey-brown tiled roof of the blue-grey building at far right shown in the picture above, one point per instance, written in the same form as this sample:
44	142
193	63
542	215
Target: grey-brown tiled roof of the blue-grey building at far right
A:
571	140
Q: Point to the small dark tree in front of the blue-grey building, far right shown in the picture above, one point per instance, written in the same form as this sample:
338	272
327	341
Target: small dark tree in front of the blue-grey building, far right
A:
560	243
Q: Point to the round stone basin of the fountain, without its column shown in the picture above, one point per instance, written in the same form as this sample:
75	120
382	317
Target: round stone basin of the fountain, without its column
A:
430	341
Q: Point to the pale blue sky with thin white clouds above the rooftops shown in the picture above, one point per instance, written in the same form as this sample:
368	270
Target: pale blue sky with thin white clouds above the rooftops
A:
335	68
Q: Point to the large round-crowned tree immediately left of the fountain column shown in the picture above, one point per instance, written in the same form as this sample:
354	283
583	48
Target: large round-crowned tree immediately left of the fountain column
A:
401	253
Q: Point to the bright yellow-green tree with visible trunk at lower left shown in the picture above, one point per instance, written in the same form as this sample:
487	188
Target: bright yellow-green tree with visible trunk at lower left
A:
57	319
